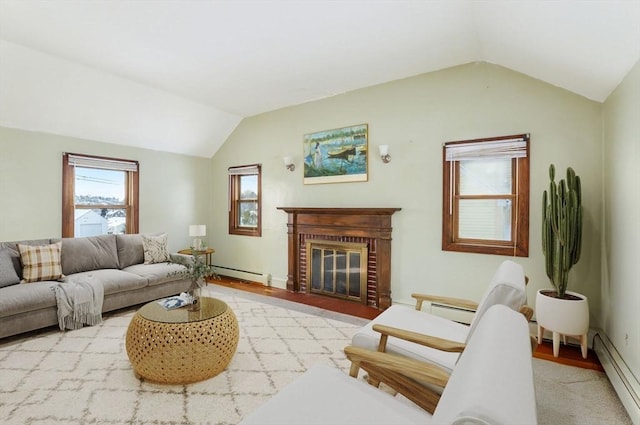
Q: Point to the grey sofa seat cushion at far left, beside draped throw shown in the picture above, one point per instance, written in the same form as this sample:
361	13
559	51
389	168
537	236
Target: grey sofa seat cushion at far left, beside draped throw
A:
18	299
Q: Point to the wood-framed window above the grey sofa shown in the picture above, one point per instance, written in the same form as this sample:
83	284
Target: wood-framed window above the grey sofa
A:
99	195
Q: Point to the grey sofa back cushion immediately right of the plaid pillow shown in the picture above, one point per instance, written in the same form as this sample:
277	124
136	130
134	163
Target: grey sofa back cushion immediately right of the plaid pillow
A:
90	253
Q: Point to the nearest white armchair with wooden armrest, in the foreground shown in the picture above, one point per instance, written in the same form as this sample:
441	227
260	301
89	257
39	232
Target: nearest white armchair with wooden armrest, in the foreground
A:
492	383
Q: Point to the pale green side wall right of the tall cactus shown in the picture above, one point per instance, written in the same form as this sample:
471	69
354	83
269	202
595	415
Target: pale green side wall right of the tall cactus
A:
620	282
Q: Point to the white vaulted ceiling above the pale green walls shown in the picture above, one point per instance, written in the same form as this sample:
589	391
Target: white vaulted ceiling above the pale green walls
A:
178	76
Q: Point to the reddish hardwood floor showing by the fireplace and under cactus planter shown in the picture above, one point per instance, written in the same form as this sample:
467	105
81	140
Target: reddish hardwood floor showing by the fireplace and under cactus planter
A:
569	354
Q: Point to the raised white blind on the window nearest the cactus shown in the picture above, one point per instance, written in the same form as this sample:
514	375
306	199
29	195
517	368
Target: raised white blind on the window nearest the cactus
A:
506	148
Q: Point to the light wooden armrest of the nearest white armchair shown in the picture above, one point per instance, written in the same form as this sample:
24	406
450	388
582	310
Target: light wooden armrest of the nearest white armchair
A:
412	378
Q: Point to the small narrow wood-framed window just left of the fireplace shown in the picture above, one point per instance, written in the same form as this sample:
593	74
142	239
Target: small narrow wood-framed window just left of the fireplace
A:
245	215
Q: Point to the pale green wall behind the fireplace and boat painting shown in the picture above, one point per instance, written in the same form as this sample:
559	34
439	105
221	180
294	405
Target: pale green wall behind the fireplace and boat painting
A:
415	116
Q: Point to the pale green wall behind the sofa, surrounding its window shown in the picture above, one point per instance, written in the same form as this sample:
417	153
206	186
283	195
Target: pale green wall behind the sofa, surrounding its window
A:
173	188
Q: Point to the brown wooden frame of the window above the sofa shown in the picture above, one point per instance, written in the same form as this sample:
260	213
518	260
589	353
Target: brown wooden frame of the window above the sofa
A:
132	183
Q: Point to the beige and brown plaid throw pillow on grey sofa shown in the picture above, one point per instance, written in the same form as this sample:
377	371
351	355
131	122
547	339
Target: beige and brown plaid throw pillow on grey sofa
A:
41	262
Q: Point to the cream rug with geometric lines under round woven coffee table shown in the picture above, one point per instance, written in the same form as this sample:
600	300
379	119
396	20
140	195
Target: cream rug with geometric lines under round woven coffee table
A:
84	376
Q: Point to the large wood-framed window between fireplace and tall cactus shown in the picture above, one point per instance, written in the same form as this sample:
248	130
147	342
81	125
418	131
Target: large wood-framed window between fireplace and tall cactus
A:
486	196
